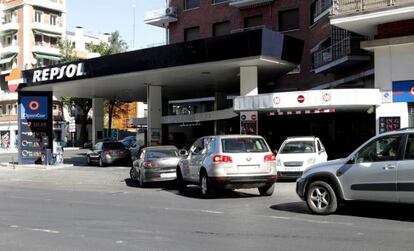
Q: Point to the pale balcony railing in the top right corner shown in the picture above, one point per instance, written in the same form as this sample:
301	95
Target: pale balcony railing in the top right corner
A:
351	6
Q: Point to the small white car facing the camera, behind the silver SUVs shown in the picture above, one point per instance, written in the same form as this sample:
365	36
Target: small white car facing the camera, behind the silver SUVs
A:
297	154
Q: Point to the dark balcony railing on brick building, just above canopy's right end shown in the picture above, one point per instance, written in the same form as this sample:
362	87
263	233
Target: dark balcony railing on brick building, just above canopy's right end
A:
346	47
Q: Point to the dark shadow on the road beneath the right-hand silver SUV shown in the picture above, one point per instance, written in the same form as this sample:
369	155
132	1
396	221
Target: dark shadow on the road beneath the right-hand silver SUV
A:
384	211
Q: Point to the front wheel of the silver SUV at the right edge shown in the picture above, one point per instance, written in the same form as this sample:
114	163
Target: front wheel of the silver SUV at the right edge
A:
321	198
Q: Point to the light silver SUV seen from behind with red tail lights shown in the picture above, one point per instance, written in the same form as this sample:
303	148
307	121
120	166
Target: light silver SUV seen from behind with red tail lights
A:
229	162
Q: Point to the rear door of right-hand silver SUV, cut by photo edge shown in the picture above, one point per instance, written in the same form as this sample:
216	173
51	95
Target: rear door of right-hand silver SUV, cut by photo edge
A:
405	173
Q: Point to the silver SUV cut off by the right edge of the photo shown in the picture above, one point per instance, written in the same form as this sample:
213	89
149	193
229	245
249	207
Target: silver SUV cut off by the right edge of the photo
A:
382	169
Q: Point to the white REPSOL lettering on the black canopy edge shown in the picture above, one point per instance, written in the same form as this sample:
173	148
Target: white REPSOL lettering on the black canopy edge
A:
56	73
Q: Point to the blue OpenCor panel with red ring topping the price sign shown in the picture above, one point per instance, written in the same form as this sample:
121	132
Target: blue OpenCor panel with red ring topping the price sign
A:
34	107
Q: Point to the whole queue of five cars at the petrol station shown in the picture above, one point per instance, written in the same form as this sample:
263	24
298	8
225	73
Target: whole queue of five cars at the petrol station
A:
379	170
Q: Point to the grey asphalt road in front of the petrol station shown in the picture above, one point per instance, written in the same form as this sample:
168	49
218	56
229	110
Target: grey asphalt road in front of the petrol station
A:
91	208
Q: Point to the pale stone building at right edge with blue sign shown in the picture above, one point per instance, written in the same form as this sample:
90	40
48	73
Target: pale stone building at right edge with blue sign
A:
389	28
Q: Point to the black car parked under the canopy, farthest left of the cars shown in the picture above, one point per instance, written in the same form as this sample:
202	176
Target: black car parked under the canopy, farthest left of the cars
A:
110	152
